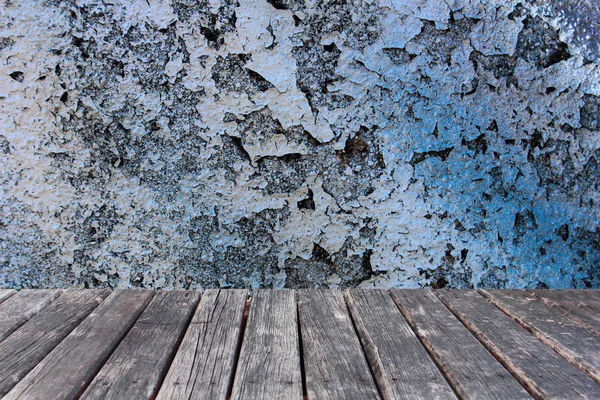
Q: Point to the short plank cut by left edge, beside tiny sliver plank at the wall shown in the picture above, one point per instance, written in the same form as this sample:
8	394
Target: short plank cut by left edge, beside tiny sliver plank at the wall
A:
17	309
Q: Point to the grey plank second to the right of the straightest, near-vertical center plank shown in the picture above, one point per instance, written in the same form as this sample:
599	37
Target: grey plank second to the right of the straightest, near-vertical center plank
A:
391	346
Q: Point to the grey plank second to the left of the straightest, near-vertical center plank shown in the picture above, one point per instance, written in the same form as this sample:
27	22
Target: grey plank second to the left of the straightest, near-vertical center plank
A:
141	361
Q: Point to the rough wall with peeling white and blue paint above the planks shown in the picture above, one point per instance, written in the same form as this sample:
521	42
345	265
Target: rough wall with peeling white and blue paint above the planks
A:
297	143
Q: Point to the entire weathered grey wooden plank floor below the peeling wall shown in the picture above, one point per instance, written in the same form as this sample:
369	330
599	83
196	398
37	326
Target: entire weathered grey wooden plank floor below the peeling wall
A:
311	344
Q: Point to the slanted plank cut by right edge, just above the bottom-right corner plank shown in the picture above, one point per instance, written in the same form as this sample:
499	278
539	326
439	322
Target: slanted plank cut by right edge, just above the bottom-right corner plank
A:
577	344
